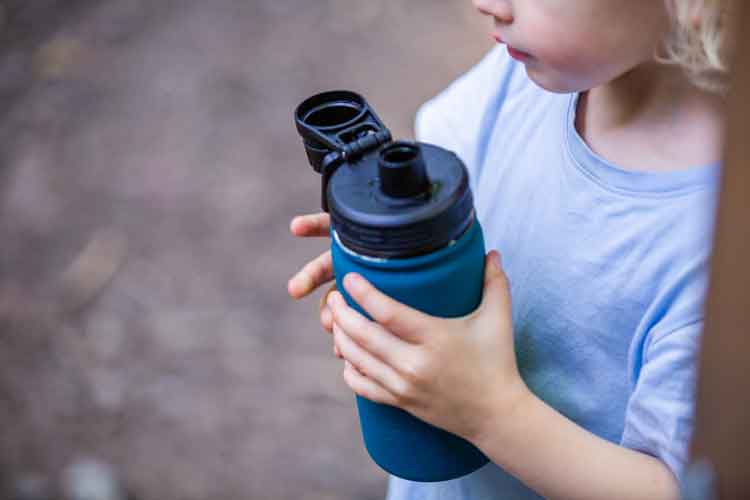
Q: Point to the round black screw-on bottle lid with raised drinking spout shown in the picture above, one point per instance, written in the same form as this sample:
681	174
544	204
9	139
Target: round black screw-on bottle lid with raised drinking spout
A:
404	200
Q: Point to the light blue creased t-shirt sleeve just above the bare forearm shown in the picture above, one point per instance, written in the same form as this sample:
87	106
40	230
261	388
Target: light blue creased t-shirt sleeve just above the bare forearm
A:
659	417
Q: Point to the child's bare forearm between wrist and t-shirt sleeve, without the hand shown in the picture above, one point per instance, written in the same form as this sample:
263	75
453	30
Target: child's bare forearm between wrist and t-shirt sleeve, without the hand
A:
559	459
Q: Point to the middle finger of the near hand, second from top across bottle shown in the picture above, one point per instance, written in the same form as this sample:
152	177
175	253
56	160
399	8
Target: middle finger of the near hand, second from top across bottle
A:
369	335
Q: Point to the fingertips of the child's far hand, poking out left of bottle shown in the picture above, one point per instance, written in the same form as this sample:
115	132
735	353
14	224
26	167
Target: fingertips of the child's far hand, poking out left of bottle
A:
318	271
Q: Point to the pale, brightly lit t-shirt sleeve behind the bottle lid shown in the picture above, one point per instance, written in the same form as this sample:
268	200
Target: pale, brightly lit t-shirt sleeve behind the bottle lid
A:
453	118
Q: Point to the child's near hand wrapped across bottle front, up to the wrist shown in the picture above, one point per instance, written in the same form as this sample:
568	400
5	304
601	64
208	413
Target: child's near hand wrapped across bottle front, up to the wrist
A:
458	374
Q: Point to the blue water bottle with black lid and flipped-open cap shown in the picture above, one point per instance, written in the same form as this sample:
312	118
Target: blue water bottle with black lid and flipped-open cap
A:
402	216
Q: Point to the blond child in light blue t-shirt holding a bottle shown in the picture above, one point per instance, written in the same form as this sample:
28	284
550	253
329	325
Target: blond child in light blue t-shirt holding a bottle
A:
592	135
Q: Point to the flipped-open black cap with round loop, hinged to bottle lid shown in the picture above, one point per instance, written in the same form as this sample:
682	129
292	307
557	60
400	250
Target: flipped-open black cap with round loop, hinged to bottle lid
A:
338	126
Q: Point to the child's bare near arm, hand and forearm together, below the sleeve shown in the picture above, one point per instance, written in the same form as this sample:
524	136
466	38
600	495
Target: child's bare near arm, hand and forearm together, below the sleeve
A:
418	362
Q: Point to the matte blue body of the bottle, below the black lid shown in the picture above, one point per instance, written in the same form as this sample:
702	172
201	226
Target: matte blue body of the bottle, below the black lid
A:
446	283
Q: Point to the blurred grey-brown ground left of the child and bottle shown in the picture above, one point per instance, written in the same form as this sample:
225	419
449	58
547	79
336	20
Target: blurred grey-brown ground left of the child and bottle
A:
149	169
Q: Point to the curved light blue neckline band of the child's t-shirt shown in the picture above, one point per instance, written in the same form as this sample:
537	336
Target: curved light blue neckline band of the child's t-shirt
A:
615	178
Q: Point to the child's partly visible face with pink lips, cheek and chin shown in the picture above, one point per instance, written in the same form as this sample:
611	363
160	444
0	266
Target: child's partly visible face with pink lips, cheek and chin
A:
575	45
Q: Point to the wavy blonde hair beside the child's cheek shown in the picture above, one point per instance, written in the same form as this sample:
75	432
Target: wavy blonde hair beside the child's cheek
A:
700	41
